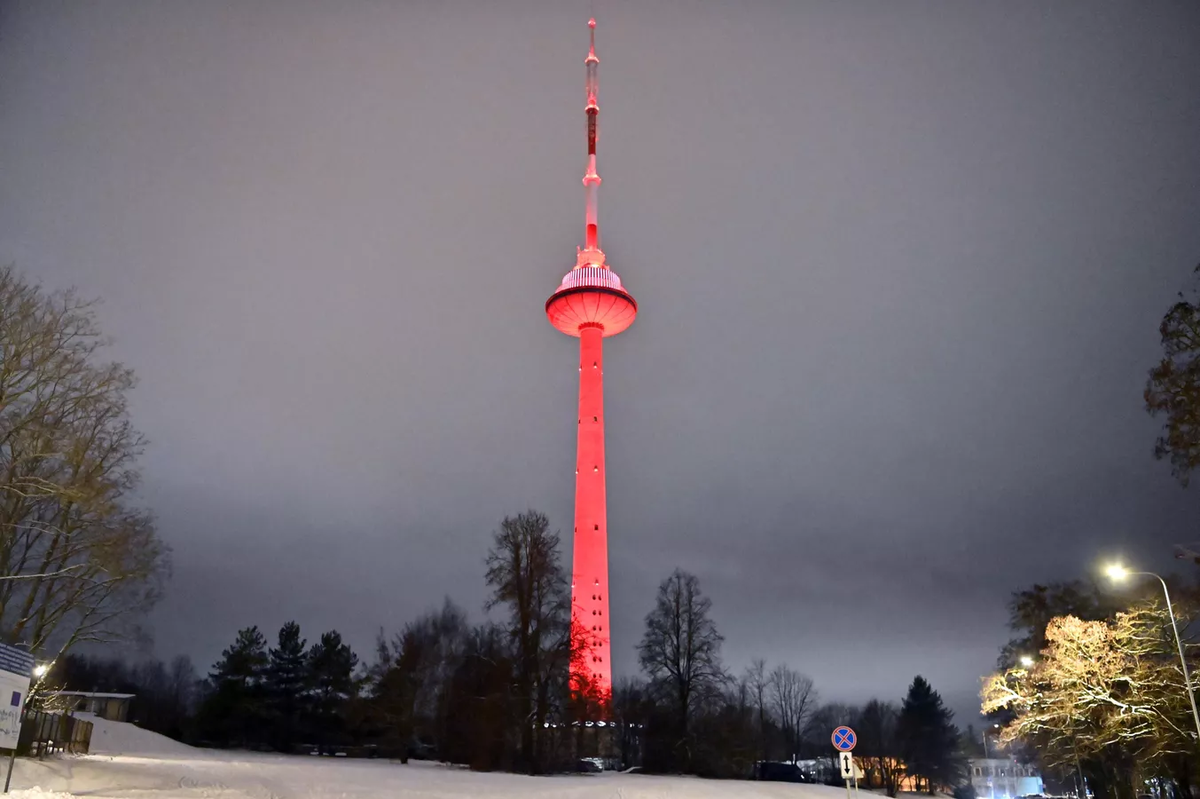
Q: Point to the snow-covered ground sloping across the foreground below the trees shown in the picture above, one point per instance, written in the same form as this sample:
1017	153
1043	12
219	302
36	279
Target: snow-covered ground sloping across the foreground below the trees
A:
129	762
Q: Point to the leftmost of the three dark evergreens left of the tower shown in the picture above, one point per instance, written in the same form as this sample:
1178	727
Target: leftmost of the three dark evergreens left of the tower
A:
235	712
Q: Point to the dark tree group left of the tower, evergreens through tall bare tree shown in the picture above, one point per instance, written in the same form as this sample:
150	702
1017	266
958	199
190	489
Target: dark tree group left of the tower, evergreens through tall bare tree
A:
484	695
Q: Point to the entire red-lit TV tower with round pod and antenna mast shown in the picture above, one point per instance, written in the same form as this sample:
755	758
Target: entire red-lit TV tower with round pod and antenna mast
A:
592	305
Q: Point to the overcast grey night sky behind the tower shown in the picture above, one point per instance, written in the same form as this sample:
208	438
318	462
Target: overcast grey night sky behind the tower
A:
901	269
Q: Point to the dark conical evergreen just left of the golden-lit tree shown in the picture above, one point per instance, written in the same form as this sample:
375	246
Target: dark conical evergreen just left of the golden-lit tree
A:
929	742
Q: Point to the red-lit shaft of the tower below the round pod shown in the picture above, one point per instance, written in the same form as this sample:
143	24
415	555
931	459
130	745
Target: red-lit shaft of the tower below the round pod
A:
590	570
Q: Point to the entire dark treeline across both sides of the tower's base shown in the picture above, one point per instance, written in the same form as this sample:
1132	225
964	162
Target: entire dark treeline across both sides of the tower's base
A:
499	695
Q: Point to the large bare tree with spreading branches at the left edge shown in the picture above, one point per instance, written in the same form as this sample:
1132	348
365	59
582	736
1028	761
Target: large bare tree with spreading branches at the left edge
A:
79	562
